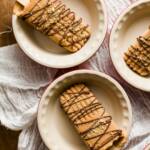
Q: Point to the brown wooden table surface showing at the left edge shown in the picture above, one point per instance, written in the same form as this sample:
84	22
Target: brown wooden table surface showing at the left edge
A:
8	139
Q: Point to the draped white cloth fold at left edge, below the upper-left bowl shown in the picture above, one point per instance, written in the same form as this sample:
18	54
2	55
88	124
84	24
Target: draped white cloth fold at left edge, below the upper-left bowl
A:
22	82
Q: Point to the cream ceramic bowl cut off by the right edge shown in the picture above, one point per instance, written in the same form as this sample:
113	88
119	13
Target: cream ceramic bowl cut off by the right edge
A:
132	23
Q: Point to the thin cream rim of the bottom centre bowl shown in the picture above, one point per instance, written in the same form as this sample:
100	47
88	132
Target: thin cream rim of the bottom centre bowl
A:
59	79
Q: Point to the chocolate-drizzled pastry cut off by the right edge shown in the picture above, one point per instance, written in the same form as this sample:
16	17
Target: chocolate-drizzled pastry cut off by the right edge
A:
138	55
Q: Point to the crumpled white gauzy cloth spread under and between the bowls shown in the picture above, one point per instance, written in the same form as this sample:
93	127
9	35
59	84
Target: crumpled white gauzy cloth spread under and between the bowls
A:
22	82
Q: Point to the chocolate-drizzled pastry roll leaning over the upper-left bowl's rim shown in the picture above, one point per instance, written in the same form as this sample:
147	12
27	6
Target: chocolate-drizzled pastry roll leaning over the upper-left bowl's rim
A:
57	21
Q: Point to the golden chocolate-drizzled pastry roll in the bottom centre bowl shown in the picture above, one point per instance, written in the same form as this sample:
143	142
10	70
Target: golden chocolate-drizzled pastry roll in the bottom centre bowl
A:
95	126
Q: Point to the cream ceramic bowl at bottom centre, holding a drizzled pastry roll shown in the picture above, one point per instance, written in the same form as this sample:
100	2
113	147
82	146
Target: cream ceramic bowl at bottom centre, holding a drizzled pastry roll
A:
56	130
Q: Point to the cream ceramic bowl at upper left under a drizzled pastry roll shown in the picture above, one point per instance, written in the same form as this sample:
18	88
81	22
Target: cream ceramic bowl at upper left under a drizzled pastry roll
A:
42	50
